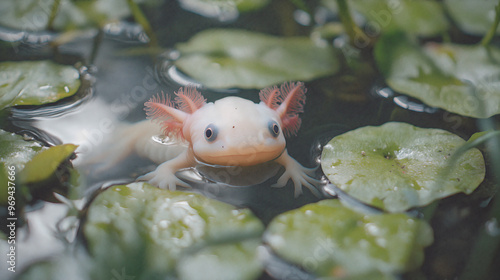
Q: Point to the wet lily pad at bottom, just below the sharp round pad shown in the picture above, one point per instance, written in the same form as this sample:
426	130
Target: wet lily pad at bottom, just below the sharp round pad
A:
329	239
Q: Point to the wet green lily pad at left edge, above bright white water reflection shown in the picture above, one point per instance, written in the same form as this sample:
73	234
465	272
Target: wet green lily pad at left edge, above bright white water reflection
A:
36	82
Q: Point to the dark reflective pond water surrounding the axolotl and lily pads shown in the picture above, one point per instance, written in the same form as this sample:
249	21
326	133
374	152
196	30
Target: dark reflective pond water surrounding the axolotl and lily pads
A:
119	79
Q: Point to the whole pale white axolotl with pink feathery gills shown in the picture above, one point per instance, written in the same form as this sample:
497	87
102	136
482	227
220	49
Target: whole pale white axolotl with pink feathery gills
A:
231	131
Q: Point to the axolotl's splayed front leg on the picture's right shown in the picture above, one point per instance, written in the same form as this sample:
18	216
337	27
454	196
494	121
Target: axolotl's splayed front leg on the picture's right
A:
300	175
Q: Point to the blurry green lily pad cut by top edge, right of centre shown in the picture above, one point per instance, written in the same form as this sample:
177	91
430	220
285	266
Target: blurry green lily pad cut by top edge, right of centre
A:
424	18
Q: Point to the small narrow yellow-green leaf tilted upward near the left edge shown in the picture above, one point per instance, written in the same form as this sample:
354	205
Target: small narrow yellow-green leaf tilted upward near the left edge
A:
44	164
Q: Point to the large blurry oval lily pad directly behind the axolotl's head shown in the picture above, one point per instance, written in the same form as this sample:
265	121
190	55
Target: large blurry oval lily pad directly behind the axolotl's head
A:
224	58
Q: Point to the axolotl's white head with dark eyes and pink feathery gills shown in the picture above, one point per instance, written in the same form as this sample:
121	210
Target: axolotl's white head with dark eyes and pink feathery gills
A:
232	131
